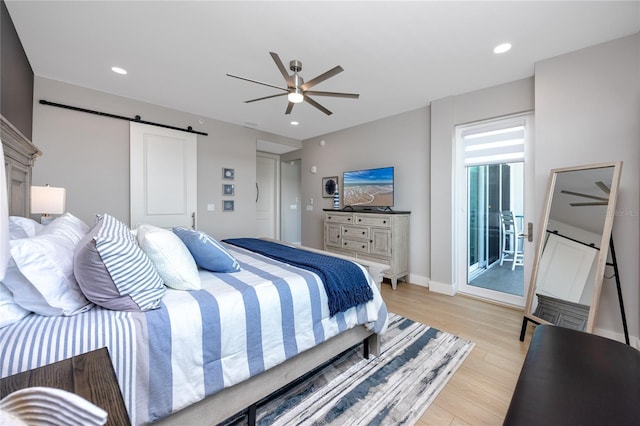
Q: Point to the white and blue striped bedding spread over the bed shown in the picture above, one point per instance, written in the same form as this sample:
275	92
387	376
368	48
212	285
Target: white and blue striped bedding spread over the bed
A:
197	342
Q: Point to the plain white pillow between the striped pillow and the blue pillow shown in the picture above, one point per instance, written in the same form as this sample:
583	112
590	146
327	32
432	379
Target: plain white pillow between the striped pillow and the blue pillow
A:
170	256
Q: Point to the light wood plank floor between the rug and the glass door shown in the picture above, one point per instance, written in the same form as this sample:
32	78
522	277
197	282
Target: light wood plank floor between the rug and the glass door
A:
480	391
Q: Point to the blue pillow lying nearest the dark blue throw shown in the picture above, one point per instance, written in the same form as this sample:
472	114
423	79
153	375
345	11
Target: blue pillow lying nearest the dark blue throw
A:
208	253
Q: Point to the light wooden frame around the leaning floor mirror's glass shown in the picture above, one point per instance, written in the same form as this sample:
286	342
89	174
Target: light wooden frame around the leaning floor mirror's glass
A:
604	243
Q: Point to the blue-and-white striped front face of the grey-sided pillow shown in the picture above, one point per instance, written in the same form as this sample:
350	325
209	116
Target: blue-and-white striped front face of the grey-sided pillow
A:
130	268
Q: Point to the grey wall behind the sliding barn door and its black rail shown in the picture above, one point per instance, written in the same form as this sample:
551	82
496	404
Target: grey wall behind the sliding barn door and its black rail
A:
89	155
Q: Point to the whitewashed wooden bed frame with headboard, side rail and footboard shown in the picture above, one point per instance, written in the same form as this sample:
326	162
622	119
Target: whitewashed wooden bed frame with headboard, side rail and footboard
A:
20	154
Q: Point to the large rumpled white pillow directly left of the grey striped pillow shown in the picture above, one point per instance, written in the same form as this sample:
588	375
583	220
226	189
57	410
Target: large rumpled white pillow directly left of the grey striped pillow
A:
40	273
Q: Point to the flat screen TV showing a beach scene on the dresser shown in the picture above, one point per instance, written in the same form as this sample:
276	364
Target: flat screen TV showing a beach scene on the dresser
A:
370	188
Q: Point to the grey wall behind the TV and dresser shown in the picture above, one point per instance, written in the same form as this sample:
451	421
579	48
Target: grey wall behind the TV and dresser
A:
401	141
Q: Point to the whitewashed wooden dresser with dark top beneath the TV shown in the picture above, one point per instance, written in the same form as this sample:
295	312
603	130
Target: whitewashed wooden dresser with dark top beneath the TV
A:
381	237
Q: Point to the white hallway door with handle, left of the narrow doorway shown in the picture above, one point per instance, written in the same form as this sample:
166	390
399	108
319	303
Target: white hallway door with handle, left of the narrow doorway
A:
267	197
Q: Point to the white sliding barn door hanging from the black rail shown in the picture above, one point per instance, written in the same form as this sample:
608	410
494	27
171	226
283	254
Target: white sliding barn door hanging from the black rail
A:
163	176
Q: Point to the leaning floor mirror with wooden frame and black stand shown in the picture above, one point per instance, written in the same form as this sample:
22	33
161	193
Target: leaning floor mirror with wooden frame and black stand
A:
573	247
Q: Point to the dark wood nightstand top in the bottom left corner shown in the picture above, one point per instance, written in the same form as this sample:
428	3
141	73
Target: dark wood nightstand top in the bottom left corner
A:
89	375
